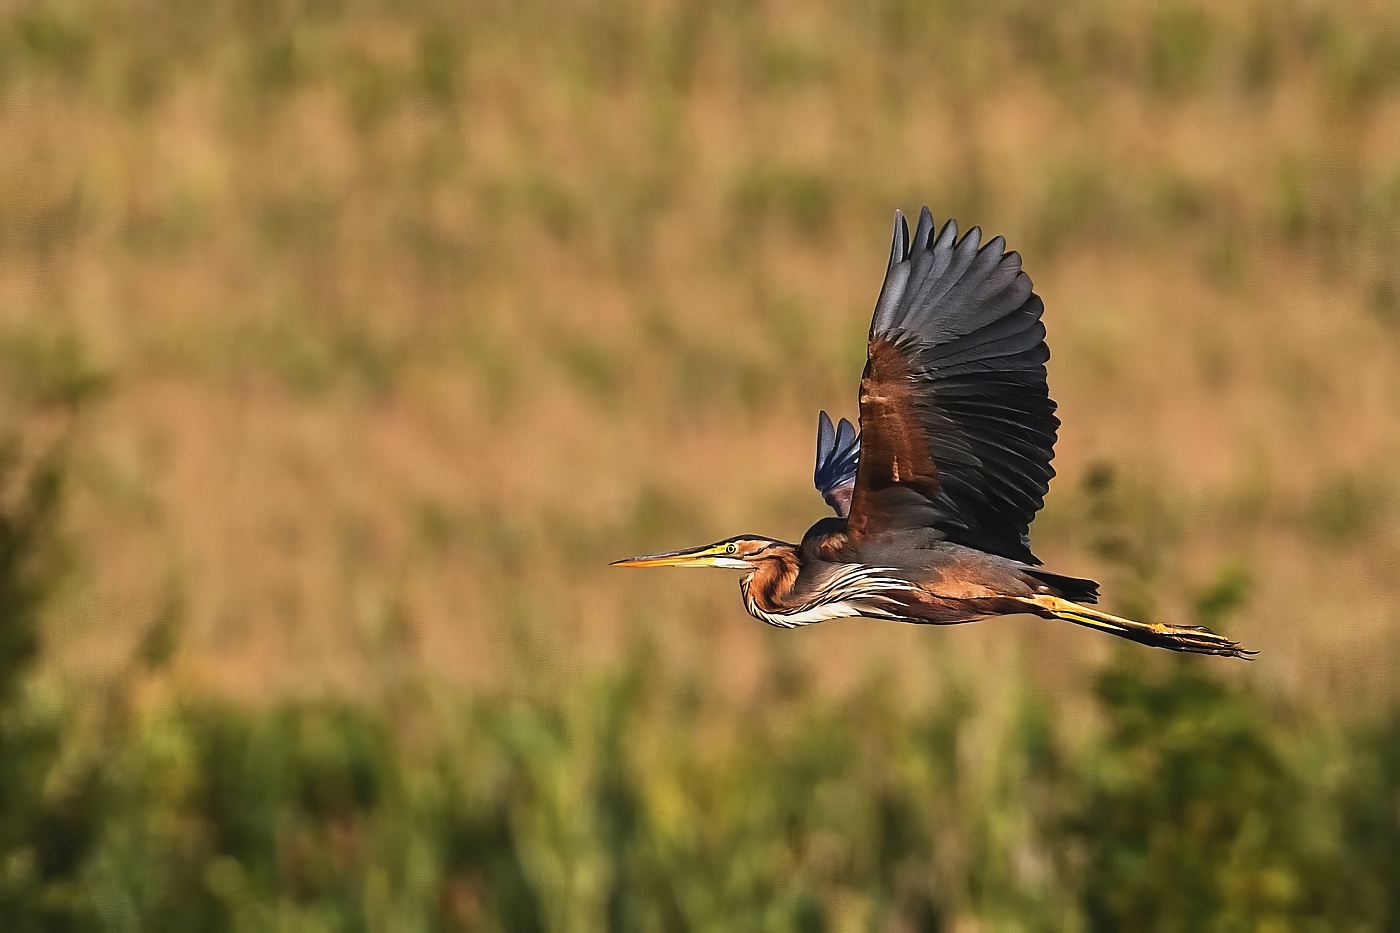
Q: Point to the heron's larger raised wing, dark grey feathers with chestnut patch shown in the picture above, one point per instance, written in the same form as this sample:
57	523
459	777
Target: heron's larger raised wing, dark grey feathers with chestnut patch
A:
957	424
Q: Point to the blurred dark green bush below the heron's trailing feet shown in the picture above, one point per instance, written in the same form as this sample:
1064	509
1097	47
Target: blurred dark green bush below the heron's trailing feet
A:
1191	813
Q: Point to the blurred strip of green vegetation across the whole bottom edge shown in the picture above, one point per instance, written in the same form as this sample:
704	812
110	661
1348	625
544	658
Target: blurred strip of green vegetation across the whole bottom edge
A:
633	806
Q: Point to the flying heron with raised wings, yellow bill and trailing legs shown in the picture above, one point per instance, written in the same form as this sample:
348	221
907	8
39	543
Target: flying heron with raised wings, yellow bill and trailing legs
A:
934	497
